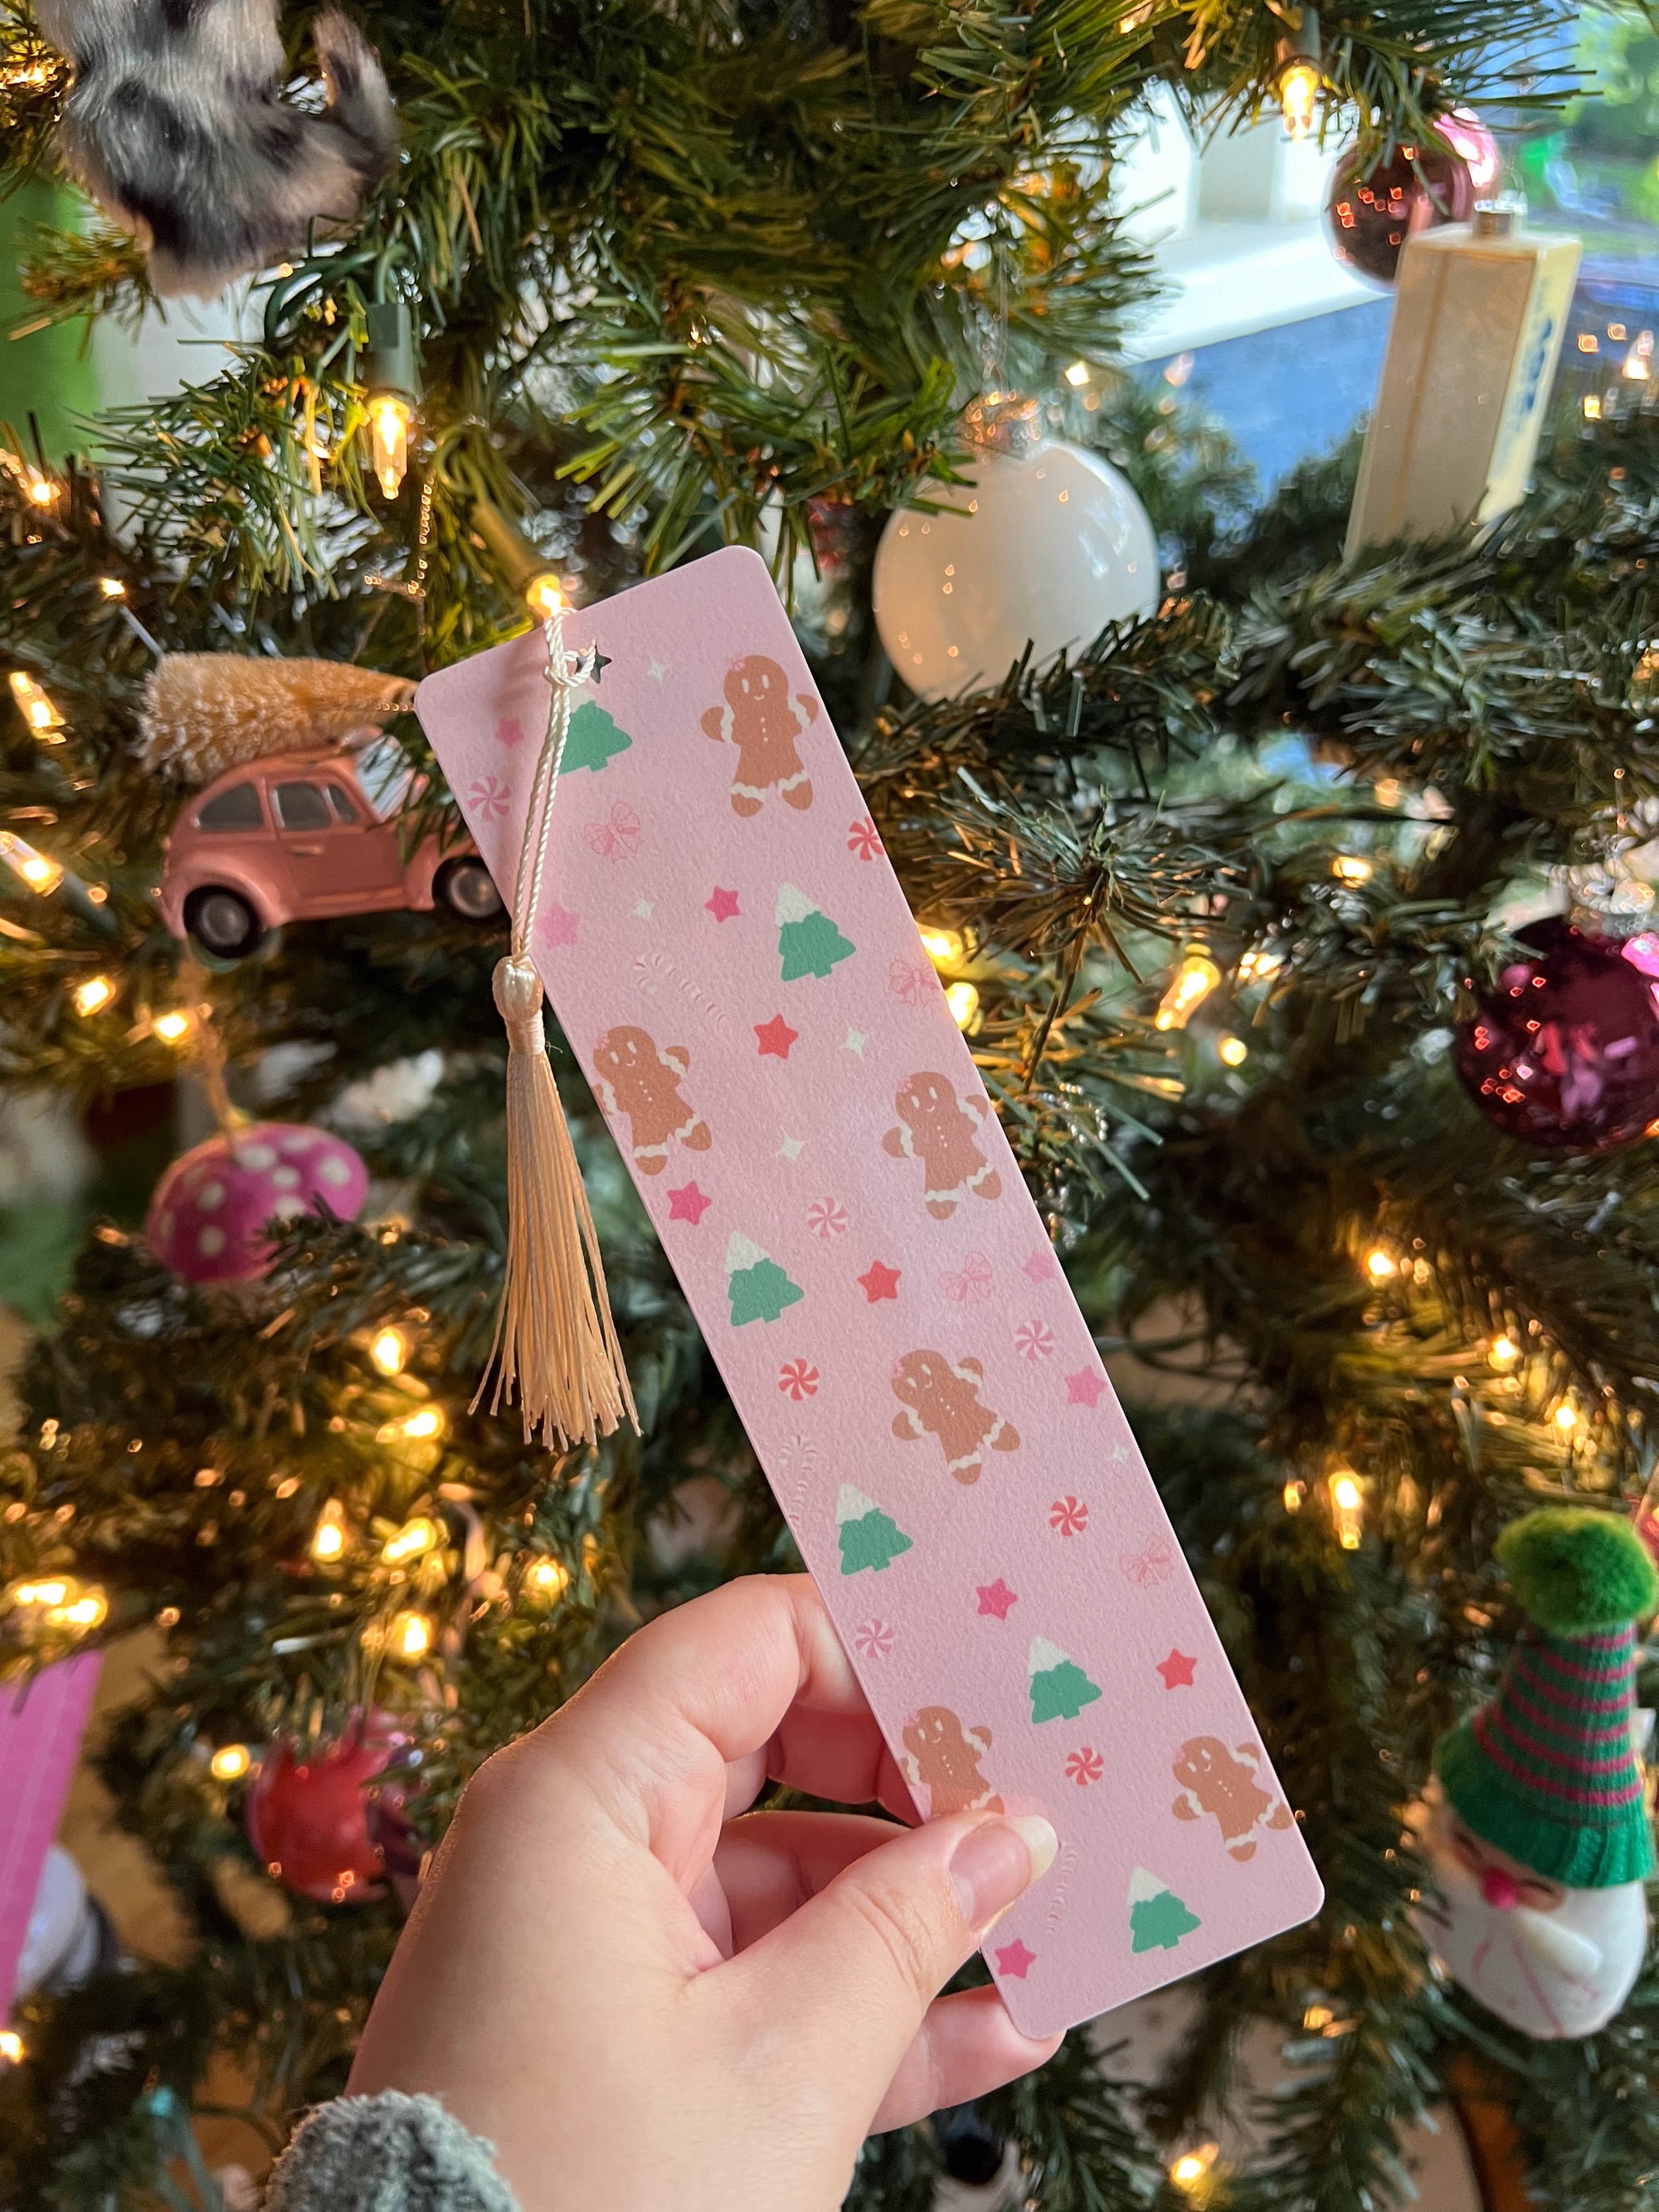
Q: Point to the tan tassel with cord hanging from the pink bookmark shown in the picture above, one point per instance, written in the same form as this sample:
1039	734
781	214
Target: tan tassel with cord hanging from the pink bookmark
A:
556	1342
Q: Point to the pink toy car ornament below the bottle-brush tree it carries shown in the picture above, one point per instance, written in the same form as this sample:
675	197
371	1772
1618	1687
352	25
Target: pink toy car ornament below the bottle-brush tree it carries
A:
302	835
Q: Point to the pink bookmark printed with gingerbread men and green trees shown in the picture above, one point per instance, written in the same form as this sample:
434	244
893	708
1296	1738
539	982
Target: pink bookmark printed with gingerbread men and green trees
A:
733	961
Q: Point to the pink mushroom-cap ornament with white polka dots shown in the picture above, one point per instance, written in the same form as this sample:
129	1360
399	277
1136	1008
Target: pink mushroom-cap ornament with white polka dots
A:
213	1204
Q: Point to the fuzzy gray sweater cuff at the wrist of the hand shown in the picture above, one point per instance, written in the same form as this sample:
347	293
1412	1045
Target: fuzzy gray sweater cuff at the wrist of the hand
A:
388	2153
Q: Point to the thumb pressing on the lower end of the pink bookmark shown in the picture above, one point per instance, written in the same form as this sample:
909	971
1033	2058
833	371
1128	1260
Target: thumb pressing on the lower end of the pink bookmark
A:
857	1968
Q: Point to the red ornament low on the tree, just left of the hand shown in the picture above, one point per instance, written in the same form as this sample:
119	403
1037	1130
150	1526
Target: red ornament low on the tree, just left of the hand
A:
311	1819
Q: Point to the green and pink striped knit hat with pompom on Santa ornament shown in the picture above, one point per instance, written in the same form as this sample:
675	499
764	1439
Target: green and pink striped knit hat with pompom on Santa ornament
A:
1547	1768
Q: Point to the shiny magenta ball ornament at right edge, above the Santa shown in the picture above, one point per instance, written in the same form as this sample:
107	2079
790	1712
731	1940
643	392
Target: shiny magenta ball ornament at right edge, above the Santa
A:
1567	1050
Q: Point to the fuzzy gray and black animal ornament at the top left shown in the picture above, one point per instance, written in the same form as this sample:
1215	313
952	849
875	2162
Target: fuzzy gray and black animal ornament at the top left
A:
178	129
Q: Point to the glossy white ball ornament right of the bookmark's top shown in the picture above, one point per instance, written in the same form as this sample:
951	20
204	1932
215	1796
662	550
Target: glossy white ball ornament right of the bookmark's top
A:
1045	547
